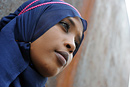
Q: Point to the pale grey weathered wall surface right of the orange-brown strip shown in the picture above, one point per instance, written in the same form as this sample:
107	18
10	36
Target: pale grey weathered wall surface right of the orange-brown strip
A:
105	60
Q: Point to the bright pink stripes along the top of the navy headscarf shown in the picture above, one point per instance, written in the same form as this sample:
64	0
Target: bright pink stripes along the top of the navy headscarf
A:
47	3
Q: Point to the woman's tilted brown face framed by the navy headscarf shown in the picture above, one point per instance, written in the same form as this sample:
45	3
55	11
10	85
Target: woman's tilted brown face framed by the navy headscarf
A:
53	51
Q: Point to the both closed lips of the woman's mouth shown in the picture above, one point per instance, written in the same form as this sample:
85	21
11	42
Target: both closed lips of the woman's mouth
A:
62	57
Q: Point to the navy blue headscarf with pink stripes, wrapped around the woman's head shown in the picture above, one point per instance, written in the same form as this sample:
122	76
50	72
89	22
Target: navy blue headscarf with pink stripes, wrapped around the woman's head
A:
25	25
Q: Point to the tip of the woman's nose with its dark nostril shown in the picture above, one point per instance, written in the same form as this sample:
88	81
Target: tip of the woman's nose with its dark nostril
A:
70	45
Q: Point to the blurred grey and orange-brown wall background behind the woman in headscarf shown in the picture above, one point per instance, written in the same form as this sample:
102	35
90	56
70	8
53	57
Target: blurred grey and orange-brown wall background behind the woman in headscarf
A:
104	57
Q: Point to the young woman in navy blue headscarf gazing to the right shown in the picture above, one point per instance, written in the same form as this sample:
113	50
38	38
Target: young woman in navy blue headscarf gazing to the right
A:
37	41
